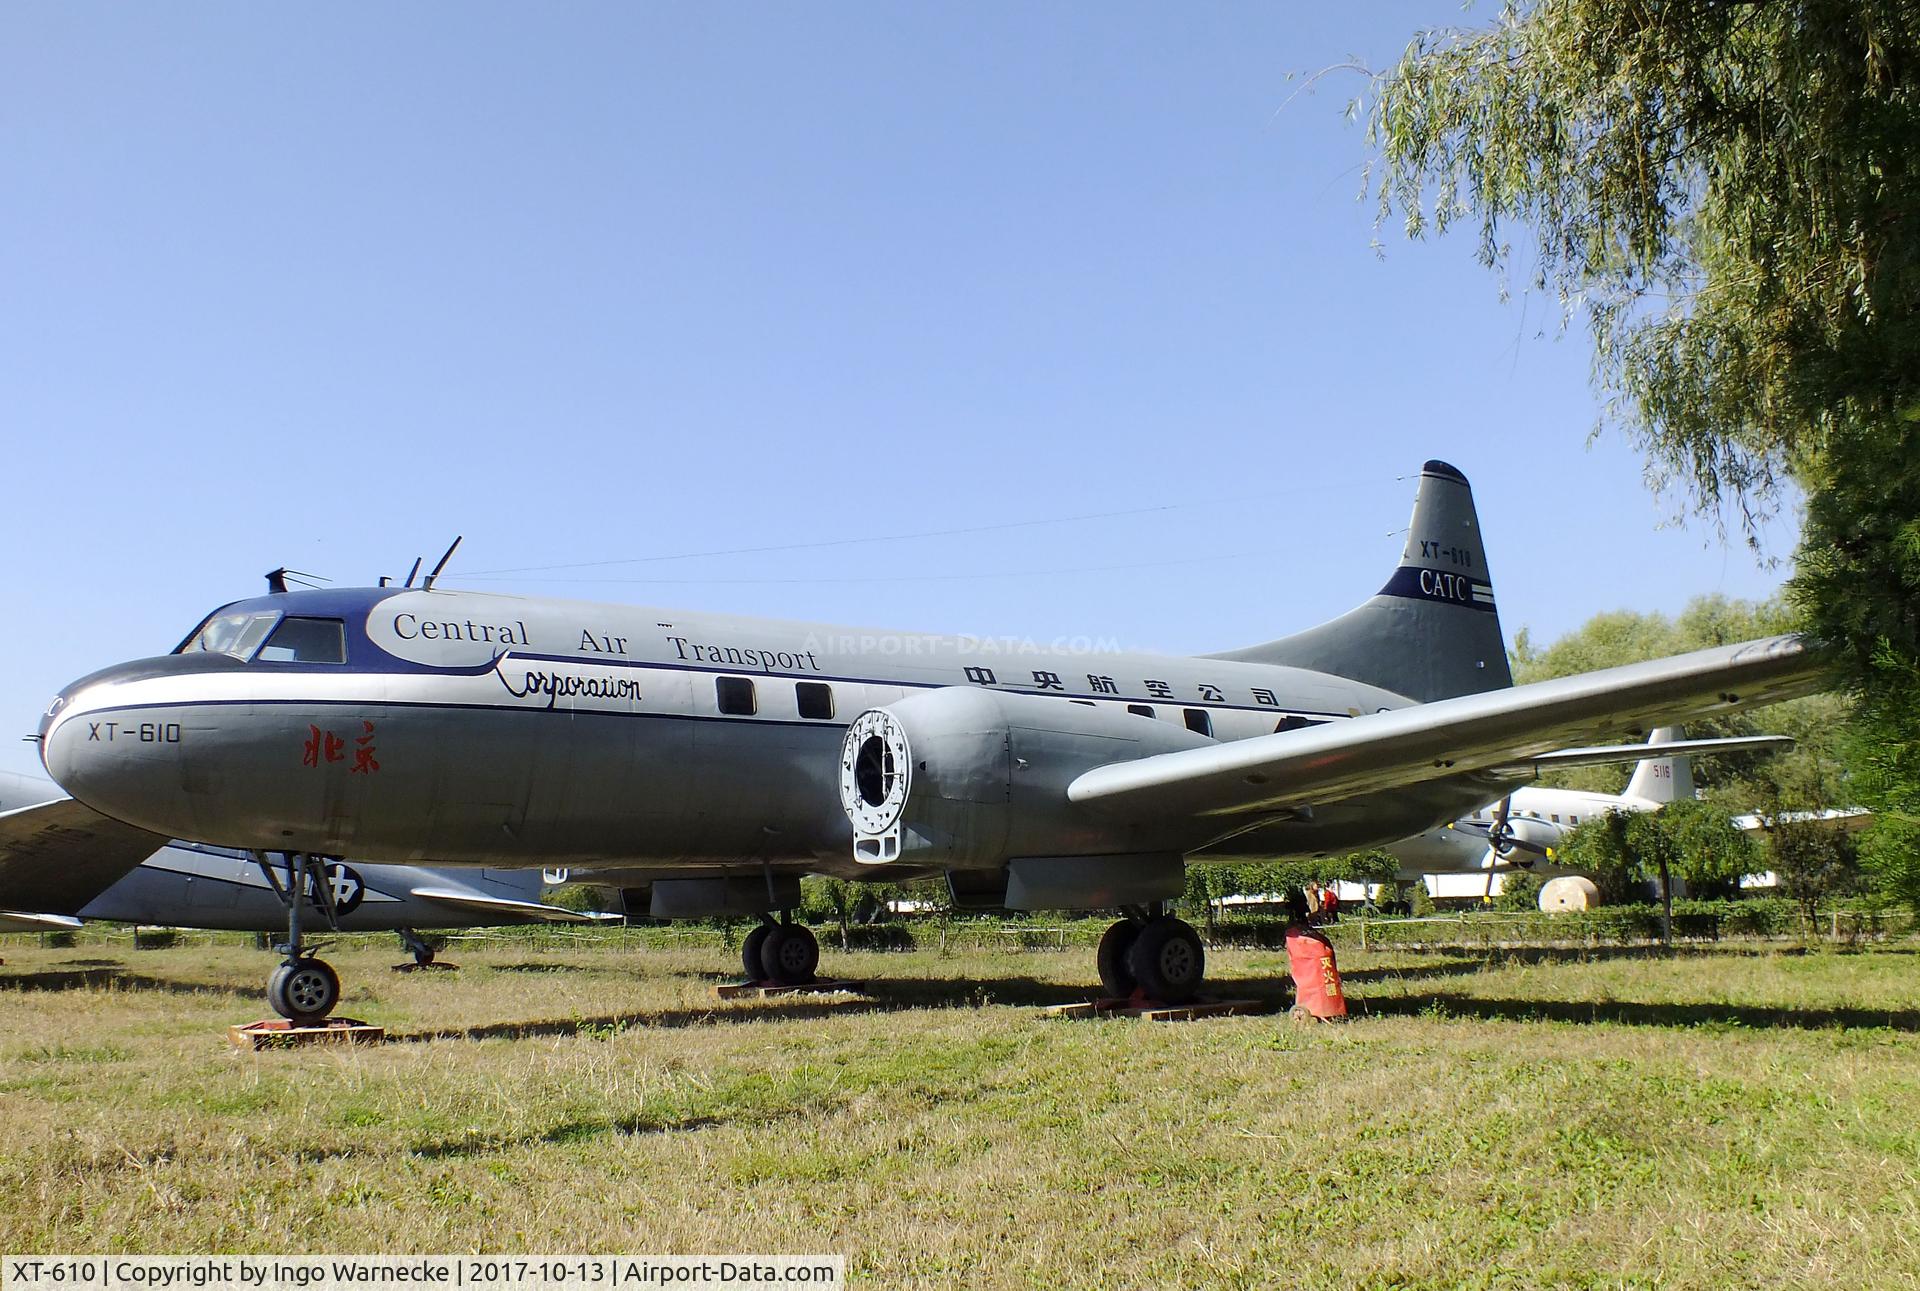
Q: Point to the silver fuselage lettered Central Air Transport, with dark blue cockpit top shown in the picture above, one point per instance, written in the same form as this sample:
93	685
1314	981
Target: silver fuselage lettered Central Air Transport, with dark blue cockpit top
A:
475	729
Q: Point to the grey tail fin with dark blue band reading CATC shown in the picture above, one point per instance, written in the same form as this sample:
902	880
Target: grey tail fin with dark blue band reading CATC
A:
1433	631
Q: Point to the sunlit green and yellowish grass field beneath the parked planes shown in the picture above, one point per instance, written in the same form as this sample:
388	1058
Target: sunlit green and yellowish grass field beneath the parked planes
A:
1618	1119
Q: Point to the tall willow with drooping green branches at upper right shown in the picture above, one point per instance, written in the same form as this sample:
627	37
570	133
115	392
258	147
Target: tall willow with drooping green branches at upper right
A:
1729	195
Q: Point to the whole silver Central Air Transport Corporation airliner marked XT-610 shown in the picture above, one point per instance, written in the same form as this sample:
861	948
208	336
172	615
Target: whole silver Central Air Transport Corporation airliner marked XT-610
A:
729	756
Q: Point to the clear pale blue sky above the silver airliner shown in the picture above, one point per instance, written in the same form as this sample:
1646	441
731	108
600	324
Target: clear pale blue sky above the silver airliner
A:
327	285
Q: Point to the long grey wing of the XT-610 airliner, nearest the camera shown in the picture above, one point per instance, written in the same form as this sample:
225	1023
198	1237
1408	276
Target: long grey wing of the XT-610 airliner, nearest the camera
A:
1449	739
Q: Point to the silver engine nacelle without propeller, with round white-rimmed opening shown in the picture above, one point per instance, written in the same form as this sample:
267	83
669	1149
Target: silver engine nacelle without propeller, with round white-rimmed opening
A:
971	779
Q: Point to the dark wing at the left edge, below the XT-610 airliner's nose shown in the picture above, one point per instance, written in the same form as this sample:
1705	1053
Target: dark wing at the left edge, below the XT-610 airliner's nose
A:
59	856
